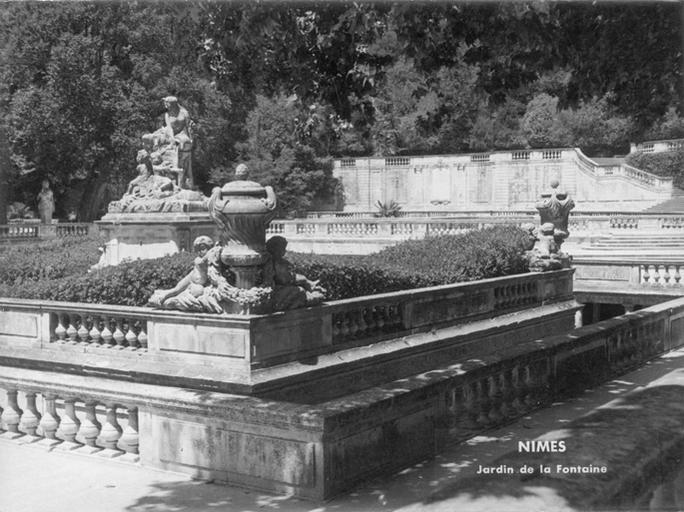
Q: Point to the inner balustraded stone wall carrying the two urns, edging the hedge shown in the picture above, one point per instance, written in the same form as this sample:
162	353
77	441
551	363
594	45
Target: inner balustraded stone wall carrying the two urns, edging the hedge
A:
223	351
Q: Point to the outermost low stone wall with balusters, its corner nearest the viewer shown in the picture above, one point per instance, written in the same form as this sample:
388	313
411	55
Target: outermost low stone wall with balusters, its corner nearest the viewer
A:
317	451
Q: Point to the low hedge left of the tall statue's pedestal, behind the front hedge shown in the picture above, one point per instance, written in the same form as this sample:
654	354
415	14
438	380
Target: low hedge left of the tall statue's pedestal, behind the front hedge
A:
49	259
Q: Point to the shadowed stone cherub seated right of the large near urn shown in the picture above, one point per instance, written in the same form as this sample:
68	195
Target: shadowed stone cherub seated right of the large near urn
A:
290	290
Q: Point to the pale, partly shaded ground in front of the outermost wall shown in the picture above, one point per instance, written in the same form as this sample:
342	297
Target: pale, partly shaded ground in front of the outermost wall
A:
627	425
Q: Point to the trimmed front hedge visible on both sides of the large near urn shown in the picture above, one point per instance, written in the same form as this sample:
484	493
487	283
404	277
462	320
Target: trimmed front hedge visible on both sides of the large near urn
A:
490	252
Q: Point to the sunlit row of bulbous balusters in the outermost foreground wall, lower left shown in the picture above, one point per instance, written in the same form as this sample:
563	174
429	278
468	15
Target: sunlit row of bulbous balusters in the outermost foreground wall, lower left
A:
58	417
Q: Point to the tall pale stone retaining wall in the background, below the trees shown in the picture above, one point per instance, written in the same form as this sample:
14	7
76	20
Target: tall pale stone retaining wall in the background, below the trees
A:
484	181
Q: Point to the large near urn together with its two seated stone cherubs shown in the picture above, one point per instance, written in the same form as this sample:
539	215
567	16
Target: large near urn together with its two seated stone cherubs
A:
241	273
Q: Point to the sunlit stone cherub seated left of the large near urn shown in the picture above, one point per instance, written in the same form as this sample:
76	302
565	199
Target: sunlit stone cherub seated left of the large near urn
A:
190	292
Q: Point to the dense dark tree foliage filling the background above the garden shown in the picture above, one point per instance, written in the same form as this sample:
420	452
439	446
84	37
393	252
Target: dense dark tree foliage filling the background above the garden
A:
285	86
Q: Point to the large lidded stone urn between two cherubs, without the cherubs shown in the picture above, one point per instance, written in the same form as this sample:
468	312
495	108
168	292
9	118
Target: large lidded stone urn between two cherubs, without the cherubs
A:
242	209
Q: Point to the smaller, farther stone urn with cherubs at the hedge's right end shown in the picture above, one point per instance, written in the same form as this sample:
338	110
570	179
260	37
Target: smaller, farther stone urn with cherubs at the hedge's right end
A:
554	209
